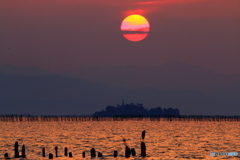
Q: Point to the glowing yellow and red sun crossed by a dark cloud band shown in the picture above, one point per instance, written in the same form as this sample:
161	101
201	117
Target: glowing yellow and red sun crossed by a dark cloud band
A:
135	28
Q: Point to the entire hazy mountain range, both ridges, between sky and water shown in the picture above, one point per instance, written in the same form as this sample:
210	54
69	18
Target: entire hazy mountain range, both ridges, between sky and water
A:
35	91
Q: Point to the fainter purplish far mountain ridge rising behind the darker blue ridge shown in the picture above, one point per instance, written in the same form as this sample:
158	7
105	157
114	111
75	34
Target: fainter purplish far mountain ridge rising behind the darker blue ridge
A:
169	76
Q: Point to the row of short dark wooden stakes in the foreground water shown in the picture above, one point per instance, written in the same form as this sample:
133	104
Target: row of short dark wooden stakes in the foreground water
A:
128	152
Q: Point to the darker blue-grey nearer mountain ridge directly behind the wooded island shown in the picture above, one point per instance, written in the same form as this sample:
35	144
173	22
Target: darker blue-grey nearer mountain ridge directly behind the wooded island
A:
61	95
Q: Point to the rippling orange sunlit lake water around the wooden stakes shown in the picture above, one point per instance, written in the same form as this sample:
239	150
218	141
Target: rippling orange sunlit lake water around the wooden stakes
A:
164	140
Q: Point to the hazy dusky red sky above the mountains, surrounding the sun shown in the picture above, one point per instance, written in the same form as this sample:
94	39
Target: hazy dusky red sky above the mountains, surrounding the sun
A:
67	34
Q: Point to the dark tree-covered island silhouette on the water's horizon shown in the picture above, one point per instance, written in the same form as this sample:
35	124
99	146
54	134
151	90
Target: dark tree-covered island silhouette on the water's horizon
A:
135	110
